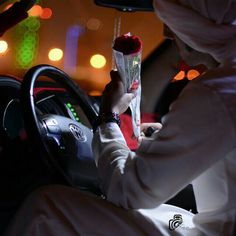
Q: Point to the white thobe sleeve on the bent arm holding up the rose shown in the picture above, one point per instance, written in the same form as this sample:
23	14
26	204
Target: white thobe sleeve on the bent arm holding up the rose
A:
195	134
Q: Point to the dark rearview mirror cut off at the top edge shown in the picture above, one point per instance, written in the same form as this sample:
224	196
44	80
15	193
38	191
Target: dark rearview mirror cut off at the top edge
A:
126	5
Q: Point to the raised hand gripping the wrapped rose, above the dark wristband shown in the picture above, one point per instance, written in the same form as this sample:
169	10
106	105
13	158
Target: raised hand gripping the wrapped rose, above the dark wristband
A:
114	98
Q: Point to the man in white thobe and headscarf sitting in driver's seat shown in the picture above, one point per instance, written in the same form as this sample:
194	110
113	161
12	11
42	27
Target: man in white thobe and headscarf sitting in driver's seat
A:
196	144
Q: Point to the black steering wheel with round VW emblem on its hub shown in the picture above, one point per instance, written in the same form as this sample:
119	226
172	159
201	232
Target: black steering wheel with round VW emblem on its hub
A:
65	144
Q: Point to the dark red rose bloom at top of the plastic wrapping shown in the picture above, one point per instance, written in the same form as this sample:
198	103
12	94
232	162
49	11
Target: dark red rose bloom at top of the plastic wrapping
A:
127	44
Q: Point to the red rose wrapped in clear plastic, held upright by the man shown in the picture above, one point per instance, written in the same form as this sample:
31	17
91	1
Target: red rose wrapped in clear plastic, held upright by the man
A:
127	51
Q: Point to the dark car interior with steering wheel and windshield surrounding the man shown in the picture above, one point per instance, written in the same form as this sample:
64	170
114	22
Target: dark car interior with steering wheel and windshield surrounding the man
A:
50	90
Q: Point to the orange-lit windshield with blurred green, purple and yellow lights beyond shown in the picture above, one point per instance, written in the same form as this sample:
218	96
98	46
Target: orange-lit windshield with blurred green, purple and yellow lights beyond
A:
76	30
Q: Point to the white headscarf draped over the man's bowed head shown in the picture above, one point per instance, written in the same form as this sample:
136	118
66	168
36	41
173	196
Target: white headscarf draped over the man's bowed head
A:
208	26
